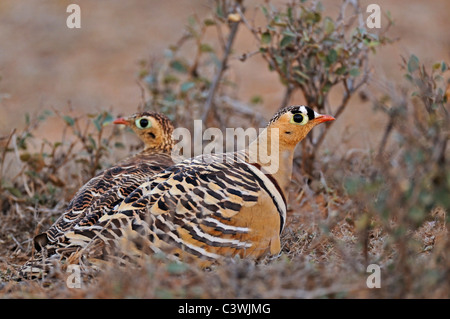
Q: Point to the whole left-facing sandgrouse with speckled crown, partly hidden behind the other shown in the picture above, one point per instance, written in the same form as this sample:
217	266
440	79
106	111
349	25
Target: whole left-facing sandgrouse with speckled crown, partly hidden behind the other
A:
100	194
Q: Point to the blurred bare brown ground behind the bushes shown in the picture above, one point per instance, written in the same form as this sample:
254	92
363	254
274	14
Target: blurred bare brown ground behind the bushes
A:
44	64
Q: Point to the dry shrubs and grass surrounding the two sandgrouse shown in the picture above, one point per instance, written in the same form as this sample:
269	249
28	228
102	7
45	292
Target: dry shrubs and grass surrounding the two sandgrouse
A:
387	206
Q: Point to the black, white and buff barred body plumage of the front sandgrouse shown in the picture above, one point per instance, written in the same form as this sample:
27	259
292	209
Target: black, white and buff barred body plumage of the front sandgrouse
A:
190	208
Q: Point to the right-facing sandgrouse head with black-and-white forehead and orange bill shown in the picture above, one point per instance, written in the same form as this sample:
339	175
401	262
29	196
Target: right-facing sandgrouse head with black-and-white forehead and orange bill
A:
295	122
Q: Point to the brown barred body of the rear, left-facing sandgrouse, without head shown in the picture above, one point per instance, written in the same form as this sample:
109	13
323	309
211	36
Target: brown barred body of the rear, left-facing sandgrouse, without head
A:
96	198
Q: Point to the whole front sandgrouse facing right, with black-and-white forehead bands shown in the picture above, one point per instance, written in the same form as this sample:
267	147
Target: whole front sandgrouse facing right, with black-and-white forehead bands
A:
215	205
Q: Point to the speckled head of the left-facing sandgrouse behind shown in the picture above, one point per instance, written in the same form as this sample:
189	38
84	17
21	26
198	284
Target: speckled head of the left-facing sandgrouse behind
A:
154	129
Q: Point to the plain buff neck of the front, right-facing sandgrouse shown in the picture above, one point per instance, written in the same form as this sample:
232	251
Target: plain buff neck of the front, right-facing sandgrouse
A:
274	157
